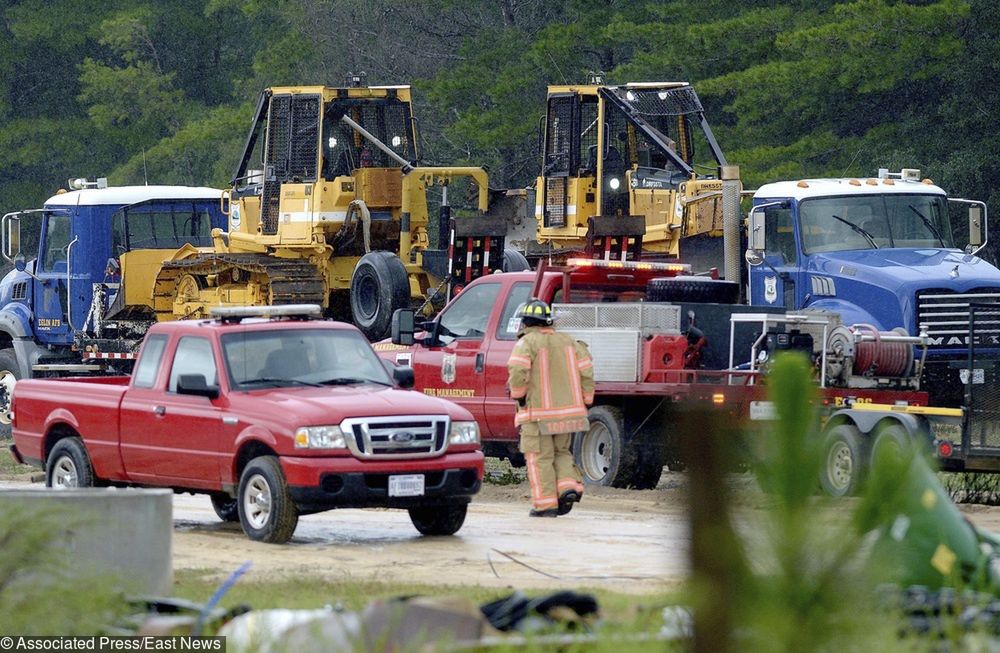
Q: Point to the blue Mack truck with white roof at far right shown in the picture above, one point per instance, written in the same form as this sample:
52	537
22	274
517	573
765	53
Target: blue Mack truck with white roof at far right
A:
889	254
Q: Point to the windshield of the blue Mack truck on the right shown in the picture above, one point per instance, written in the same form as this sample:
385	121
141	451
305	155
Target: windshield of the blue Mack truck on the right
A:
833	224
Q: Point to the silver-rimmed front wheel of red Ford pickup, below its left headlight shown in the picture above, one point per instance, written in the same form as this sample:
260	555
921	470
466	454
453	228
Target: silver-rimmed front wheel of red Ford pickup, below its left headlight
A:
267	512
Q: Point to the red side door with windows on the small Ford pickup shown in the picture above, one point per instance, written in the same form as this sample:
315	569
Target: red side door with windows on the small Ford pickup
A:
169	438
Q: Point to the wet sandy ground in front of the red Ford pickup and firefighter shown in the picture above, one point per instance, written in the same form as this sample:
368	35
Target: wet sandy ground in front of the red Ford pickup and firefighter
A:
630	541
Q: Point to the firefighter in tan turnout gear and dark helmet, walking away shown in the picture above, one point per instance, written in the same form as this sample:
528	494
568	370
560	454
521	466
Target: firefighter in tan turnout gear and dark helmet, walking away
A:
552	378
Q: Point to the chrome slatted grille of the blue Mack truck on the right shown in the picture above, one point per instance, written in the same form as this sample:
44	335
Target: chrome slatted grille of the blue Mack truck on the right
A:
946	315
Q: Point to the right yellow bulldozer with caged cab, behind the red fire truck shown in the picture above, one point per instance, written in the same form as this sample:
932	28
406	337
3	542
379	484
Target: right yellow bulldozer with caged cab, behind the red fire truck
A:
627	170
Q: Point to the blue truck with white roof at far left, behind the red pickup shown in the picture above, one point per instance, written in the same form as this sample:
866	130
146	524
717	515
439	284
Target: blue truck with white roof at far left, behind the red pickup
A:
81	293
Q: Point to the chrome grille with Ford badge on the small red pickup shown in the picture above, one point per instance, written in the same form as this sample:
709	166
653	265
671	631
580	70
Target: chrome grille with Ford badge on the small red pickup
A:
415	436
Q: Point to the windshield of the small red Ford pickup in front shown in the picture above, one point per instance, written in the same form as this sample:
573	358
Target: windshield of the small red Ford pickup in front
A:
296	357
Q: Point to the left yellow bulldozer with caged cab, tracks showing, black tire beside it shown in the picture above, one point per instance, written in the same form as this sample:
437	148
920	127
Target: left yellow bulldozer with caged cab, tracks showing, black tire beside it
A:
329	205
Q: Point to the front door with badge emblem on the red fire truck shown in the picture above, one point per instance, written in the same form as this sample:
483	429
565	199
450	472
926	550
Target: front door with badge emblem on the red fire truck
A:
453	368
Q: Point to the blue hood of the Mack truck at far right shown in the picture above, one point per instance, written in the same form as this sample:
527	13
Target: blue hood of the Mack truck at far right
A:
907	270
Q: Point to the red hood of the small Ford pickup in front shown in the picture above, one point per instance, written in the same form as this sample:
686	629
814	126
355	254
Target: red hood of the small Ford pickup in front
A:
331	405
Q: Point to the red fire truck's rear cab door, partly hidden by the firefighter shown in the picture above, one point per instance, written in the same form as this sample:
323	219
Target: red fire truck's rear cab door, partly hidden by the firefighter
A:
499	407
